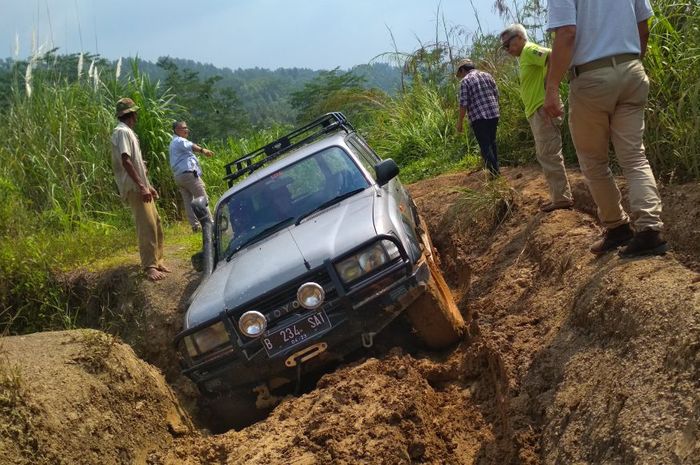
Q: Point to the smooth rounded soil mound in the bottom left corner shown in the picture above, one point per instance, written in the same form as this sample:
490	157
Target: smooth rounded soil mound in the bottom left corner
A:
82	397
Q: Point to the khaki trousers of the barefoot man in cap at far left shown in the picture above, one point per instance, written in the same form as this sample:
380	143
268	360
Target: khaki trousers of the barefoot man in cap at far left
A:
148	230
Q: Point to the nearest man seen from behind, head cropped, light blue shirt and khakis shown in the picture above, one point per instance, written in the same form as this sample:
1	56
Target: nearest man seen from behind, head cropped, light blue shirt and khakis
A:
601	43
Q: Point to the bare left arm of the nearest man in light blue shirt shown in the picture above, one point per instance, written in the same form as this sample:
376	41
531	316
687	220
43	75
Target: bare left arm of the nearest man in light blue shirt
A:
560	59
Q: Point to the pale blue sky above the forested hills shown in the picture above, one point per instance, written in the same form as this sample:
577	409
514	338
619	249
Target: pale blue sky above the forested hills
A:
318	34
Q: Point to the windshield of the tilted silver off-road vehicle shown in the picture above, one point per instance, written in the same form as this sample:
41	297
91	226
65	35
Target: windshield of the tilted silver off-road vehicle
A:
292	192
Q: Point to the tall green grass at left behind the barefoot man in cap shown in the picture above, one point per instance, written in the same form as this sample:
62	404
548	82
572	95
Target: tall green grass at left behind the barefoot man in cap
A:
59	202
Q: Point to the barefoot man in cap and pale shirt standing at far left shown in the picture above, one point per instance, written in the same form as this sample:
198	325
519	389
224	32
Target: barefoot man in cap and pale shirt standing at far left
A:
135	189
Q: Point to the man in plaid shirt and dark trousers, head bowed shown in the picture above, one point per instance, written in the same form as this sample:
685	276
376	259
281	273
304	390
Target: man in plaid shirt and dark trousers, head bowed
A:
478	98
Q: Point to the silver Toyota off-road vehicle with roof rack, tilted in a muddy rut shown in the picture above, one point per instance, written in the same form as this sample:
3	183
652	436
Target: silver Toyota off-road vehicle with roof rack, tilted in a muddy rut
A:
312	251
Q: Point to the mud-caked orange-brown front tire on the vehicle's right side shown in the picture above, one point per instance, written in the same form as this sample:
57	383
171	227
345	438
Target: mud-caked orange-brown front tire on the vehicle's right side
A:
434	315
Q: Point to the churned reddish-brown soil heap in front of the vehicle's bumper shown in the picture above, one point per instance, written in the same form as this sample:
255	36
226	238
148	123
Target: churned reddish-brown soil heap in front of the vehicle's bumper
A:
392	411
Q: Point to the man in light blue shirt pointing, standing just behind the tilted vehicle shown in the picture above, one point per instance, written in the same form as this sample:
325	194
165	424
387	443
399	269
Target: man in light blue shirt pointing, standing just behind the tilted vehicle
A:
186	169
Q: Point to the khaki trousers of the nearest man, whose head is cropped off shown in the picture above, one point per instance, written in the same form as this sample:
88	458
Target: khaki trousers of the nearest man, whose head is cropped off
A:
604	104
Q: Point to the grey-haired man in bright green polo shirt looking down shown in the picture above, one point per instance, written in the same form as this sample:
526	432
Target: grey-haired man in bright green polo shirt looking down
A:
546	131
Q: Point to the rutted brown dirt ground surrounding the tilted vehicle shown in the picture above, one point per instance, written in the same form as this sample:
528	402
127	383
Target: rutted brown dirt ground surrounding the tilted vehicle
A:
572	360
